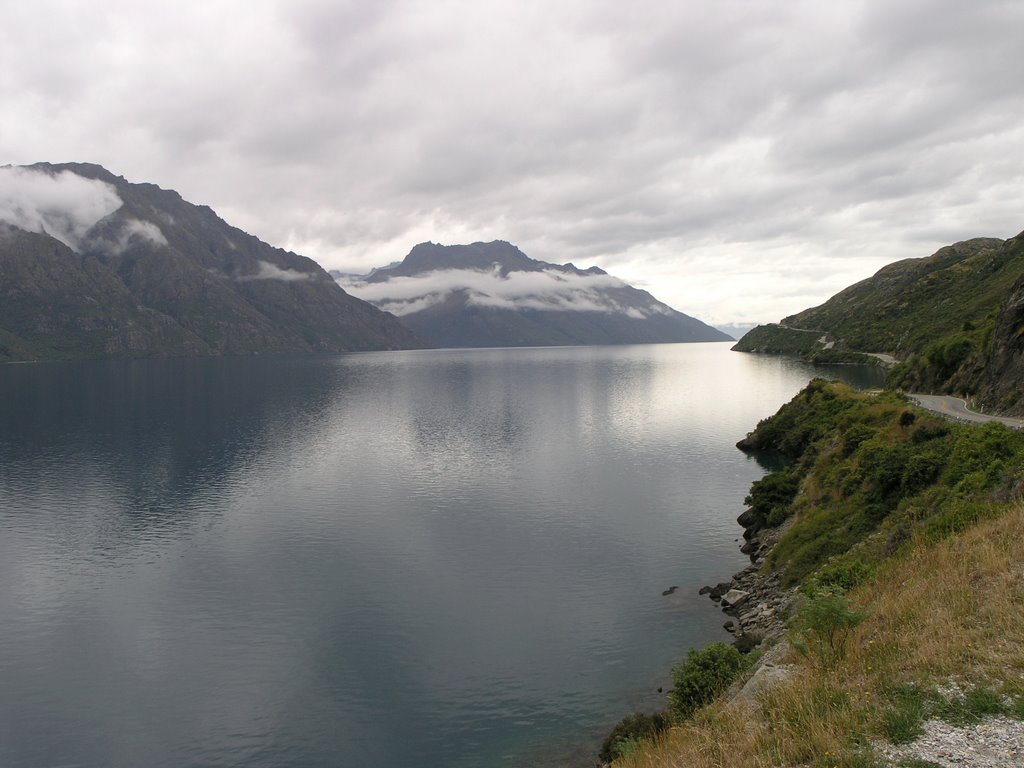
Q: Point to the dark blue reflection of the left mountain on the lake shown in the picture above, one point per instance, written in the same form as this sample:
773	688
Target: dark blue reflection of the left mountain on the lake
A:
150	438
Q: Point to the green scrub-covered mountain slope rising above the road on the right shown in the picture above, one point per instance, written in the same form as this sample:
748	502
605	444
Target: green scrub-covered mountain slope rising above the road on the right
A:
954	320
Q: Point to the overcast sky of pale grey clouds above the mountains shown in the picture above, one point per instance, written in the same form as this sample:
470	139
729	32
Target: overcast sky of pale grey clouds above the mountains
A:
742	160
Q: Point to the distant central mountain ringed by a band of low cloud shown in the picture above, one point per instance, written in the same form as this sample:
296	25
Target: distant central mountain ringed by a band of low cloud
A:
492	294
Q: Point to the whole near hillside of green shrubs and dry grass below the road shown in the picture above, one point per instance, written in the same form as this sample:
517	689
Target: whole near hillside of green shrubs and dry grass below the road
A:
894	523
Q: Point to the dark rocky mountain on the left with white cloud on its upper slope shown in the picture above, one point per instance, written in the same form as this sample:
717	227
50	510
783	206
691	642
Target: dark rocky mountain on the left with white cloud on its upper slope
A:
93	266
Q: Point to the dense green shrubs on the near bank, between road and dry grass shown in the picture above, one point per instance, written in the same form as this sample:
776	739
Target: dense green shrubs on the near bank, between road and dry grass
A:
873	474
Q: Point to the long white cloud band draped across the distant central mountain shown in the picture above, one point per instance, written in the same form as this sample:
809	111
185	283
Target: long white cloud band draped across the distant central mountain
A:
547	290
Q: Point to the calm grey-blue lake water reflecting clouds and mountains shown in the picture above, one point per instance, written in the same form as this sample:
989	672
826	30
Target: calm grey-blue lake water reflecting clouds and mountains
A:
434	559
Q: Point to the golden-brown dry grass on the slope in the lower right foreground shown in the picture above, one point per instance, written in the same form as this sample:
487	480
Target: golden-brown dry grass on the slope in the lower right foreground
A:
947	612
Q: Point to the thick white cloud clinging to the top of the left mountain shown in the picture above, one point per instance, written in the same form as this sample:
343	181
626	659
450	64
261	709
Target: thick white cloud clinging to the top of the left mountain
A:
65	206
